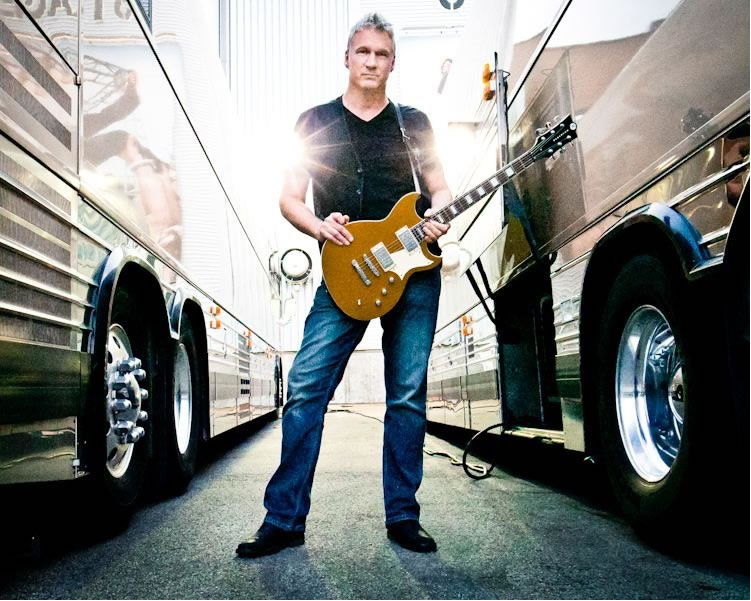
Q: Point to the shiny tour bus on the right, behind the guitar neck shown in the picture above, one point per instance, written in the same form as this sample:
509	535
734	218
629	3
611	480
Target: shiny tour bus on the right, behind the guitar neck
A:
617	271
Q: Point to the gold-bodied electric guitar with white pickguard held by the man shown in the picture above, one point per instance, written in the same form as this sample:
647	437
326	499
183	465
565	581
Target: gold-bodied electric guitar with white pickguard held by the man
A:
367	278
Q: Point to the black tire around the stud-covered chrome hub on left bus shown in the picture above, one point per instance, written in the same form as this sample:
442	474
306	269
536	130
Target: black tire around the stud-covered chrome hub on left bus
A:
121	483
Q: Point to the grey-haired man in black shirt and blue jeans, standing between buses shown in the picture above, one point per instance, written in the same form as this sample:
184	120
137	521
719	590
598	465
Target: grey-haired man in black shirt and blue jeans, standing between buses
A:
360	162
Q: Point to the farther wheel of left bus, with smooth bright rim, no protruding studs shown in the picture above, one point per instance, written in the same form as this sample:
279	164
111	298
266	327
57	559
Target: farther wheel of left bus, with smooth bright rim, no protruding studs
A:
179	452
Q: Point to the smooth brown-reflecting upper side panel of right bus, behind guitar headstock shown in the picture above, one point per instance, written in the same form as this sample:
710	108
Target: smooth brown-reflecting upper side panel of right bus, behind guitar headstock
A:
643	100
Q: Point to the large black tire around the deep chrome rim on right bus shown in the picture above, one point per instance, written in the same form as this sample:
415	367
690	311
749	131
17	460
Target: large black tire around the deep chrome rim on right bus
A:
655	503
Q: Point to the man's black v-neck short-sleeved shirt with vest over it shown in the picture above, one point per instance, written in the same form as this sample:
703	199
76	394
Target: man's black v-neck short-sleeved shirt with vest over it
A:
361	168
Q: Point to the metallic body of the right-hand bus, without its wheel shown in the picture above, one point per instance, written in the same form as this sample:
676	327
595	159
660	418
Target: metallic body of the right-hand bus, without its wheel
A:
662	151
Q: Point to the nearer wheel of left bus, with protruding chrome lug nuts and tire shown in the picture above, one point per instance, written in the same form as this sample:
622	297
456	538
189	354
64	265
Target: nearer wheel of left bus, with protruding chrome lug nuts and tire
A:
126	406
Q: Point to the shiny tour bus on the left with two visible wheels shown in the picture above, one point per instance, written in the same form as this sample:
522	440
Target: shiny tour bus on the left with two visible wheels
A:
135	318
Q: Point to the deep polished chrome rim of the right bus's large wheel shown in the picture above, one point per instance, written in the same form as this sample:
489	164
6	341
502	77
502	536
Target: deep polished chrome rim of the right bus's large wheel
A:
649	393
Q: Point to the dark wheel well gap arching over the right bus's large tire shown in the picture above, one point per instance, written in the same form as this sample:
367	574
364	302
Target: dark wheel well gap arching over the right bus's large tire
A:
604	265
